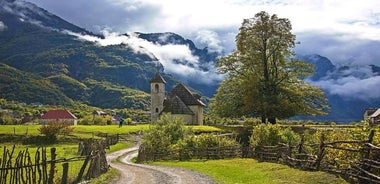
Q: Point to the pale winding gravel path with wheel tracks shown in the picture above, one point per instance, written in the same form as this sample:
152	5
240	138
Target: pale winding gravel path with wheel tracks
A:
132	173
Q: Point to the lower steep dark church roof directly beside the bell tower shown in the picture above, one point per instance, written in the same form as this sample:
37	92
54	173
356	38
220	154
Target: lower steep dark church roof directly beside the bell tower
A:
175	105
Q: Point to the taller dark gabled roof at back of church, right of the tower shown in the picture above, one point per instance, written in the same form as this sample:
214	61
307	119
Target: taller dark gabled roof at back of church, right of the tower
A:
186	96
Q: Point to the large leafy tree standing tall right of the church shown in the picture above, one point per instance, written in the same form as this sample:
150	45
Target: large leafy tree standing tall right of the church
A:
262	78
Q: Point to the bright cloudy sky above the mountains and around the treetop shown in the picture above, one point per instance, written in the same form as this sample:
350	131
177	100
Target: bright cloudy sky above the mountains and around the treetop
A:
345	31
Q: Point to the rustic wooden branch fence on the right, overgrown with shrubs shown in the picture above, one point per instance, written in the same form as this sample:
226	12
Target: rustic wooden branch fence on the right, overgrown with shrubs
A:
360	165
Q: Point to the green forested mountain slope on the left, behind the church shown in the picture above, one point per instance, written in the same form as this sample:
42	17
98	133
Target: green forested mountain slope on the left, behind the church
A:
55	66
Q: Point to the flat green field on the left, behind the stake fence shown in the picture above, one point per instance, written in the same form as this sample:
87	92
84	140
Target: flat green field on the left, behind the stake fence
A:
66	146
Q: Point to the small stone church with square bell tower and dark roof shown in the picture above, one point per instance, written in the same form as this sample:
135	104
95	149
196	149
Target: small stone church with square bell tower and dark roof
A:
180	102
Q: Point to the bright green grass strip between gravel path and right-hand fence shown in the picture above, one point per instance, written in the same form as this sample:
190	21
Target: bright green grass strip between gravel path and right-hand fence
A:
246	171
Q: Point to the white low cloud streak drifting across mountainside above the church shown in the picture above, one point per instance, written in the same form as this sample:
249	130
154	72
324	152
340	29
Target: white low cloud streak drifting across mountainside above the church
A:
177	59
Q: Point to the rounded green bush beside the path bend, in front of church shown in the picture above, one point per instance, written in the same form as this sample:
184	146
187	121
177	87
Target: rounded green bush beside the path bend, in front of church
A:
170	135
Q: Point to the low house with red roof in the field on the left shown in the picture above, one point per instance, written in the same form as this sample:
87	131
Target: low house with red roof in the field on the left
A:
58	116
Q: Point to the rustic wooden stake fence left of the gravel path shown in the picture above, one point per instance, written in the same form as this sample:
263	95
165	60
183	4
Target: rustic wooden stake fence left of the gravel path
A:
23	168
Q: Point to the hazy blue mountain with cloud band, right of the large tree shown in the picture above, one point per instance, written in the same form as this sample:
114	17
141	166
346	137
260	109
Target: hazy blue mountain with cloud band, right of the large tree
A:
349	89
